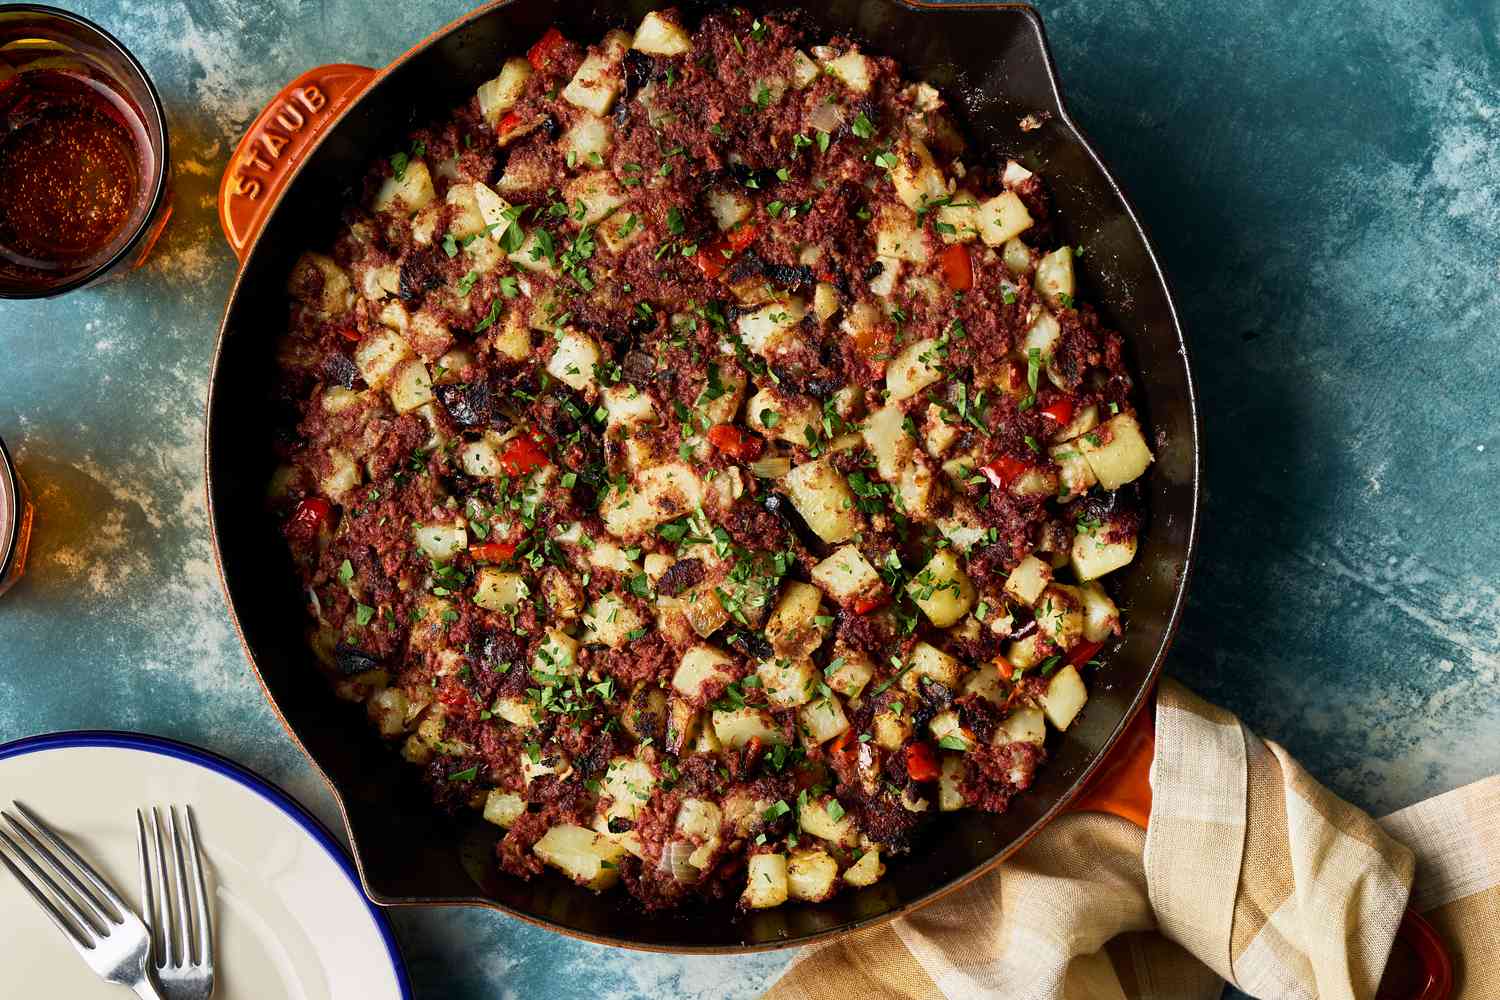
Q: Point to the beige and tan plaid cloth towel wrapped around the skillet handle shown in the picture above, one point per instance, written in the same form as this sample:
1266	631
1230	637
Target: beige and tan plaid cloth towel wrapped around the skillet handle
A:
1250	873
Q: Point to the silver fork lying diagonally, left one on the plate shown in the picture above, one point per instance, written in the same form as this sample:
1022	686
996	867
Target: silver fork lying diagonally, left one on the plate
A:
94	918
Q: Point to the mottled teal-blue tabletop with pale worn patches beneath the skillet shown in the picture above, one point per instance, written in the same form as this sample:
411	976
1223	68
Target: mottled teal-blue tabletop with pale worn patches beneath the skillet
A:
1324	184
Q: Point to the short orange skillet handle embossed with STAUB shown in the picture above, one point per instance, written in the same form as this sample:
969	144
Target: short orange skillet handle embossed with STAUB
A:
277	142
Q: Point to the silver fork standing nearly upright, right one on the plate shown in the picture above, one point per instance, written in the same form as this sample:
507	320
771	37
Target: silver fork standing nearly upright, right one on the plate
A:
182	932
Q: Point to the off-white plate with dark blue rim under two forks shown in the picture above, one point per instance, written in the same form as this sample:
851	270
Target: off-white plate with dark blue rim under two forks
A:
290	918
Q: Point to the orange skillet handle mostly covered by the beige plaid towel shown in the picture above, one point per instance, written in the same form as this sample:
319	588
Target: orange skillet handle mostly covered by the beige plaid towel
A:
1420	966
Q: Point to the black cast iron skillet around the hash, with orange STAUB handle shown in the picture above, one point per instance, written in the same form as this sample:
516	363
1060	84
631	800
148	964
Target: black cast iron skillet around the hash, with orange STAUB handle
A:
283	196
